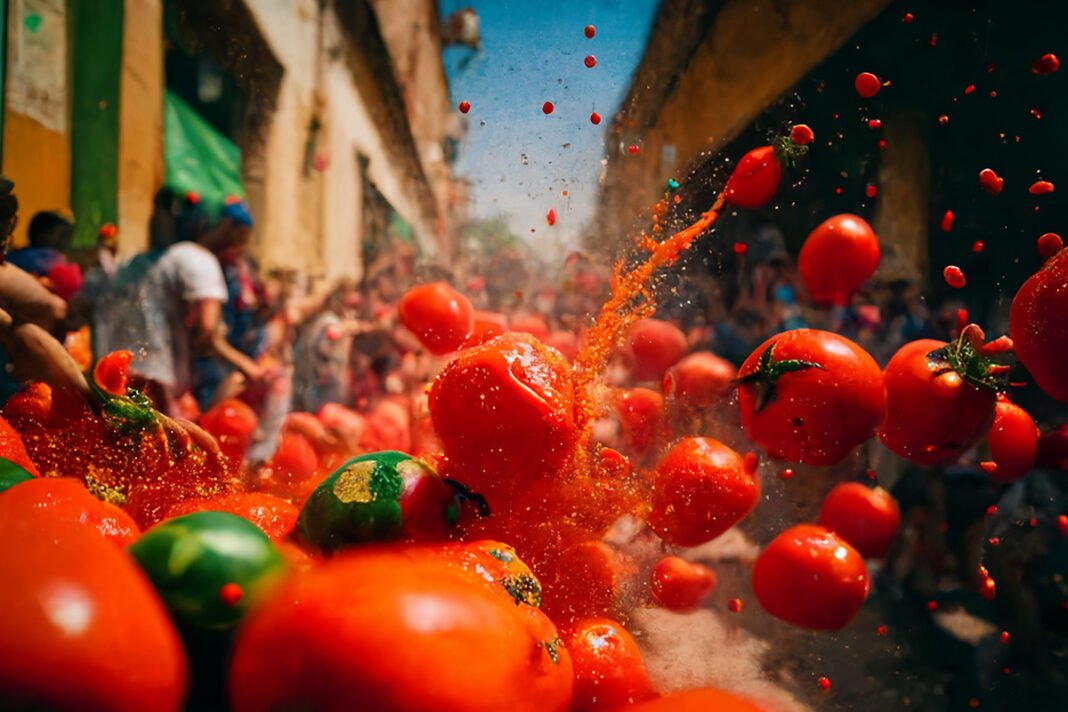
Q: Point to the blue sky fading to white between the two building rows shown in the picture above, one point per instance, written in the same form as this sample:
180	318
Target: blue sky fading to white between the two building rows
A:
533	52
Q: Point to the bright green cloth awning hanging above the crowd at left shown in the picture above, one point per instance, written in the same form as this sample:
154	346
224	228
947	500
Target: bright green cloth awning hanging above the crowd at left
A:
197	157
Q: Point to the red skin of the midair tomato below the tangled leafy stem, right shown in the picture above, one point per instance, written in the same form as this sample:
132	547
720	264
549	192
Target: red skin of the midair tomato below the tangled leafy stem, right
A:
932	418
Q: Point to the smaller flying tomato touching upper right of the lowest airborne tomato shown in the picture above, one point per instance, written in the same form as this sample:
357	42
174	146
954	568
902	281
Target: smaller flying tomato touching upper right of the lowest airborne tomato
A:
866	517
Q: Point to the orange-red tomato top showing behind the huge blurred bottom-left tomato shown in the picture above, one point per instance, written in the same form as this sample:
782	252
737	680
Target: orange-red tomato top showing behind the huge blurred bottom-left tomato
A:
68	499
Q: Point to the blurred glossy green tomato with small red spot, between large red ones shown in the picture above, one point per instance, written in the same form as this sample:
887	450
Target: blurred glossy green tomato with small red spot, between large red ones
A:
210	567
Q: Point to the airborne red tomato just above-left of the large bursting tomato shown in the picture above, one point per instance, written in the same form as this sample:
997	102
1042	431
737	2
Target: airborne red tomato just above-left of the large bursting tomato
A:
439	317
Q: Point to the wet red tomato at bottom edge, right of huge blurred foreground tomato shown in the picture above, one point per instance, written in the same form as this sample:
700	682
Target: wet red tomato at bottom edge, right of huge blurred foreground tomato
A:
609	669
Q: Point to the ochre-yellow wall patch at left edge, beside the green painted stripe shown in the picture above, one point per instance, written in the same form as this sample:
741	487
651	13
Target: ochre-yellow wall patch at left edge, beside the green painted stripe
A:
39	161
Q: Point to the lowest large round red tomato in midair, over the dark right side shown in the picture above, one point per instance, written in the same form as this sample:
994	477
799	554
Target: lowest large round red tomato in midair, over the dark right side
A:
811	578
